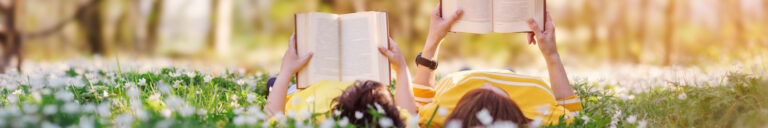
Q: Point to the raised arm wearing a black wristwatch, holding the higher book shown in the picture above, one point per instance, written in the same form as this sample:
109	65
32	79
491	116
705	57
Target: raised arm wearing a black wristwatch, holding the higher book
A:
438	28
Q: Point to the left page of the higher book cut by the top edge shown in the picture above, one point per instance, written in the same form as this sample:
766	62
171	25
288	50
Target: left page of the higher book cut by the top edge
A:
477	16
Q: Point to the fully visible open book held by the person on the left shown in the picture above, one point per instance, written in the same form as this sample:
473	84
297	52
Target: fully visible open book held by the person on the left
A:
345	47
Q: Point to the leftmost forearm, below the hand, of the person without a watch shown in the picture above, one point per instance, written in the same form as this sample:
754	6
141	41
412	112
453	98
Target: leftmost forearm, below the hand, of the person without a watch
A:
276	99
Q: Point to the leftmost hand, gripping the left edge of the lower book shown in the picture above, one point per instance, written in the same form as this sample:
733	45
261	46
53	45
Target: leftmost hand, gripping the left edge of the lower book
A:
292	62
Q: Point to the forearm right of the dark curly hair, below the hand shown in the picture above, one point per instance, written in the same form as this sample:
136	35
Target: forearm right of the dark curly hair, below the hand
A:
403	91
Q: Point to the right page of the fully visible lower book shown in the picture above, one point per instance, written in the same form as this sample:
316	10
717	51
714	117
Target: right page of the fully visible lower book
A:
359	47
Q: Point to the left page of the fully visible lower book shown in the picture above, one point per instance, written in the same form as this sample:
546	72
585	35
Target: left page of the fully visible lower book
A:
319	34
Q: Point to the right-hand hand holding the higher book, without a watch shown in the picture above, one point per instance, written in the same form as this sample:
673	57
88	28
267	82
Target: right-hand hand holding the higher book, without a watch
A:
544	38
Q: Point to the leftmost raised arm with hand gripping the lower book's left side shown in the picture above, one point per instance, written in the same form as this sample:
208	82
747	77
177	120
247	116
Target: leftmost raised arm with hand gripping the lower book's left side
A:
291	64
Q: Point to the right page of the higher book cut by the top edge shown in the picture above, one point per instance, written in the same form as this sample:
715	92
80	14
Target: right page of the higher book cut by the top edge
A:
512	15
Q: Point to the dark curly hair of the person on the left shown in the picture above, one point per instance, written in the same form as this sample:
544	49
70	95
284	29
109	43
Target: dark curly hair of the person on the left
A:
360	97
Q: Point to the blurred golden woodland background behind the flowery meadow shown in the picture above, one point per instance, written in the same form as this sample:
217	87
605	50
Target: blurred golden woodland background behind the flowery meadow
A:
253	34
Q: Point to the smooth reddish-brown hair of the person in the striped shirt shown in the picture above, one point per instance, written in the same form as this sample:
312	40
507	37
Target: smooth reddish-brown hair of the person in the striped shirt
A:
500	108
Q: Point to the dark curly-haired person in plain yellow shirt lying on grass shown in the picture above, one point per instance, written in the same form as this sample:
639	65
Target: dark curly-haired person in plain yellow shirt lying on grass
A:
344	100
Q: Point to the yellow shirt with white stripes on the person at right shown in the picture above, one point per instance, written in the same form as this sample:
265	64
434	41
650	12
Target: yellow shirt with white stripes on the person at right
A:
531	94
